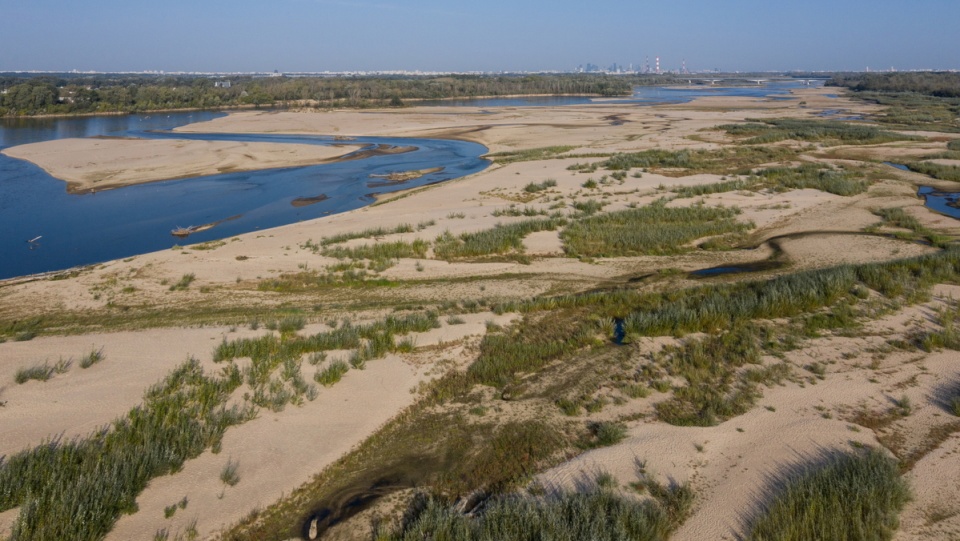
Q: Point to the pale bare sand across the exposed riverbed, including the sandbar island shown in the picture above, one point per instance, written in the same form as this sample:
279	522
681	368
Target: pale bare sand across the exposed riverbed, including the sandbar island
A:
729	465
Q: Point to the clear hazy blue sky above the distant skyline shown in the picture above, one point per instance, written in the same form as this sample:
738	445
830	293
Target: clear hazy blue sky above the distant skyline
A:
491	35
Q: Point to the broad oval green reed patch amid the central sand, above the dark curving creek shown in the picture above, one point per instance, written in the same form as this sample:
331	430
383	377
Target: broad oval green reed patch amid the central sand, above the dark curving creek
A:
651	230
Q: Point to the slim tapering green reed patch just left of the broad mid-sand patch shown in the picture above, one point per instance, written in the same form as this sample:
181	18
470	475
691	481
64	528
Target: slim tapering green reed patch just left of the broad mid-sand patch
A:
500	239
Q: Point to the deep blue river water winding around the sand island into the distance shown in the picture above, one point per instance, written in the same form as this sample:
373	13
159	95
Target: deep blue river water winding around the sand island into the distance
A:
81	229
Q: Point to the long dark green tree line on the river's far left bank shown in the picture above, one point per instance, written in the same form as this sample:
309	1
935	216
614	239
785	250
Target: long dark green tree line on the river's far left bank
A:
26	95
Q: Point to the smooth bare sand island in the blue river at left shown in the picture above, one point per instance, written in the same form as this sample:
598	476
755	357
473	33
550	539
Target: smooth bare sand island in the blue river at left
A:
105	163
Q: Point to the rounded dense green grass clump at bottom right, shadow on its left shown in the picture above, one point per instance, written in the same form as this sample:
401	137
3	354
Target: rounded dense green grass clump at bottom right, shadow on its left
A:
853	496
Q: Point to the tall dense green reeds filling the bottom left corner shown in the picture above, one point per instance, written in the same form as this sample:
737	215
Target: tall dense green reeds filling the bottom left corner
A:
77	489
